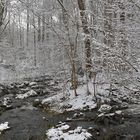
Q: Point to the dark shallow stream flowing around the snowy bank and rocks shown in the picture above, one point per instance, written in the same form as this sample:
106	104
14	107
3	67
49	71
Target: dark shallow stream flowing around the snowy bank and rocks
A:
30	123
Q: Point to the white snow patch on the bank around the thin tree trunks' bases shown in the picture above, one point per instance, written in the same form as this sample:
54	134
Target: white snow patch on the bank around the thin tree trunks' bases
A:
78	102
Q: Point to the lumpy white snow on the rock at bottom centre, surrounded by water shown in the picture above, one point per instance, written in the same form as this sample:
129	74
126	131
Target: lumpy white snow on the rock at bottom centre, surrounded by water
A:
58	133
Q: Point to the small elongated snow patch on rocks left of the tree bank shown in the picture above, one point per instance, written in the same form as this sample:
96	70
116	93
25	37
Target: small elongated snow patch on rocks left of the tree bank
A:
26	95
